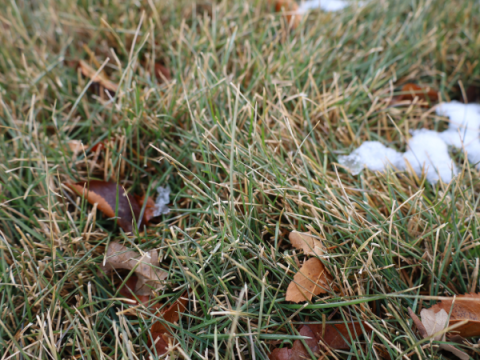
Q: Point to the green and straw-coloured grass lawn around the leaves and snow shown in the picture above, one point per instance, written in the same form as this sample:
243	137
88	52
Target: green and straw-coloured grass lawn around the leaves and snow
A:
247	135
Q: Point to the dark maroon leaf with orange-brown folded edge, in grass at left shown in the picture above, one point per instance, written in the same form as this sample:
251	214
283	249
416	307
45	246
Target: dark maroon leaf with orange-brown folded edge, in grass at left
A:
105	195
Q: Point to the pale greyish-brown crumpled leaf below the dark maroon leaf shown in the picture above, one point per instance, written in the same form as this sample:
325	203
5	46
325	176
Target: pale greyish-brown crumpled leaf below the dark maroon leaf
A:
148	276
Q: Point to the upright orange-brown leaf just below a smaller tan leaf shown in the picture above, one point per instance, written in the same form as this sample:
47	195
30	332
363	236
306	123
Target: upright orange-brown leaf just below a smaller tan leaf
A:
312	279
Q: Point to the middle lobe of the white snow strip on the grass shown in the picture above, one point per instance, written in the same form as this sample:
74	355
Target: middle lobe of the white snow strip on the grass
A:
428	152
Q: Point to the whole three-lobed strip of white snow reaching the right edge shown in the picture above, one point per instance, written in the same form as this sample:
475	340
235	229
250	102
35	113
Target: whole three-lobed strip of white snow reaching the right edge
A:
427	150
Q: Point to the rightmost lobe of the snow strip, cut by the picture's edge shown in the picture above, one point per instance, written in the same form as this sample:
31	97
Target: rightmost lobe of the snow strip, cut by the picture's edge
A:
463	129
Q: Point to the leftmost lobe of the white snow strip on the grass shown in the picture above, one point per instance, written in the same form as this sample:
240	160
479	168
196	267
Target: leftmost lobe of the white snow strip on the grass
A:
374	155
